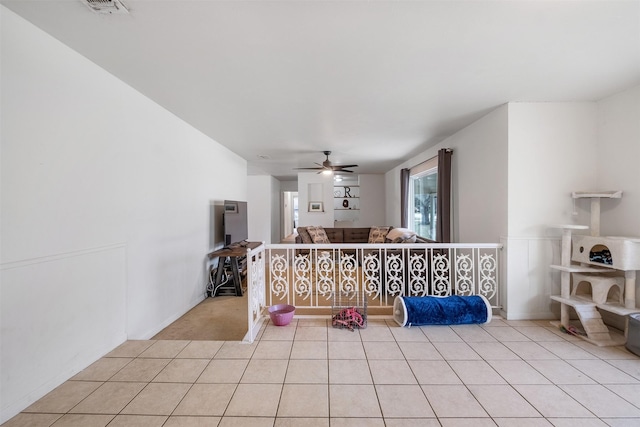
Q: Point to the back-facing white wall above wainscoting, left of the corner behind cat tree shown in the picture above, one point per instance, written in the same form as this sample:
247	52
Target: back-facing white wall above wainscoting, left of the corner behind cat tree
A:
552	152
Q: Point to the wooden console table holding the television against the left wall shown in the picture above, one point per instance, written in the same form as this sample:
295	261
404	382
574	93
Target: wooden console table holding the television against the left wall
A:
226	278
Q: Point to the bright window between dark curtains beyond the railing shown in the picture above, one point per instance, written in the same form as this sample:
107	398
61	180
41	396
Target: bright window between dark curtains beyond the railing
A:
423	189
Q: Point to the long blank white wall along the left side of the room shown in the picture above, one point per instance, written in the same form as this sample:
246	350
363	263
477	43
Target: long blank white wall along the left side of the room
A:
105	213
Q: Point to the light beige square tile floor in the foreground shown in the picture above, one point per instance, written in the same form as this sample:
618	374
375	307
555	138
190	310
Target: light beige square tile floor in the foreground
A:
506	373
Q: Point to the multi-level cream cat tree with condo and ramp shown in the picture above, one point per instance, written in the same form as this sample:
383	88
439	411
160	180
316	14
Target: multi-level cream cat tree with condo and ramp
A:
597	273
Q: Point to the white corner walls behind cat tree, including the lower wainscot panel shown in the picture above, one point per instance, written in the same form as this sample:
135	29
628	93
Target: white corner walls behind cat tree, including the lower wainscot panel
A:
554	149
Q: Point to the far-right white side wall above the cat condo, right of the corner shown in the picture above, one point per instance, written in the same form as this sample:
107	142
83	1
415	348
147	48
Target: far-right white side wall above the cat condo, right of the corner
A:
618	154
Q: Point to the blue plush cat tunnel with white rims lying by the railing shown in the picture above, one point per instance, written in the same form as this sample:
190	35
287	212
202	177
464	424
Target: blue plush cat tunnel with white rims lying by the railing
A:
451	310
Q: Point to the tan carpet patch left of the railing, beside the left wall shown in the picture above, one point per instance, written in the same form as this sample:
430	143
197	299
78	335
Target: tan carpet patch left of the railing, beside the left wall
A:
221	318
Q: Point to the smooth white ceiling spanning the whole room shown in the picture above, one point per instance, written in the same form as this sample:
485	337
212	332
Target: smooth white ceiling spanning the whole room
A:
373	81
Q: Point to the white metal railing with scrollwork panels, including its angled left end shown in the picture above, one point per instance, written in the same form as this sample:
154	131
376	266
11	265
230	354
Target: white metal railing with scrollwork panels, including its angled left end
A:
308	275
